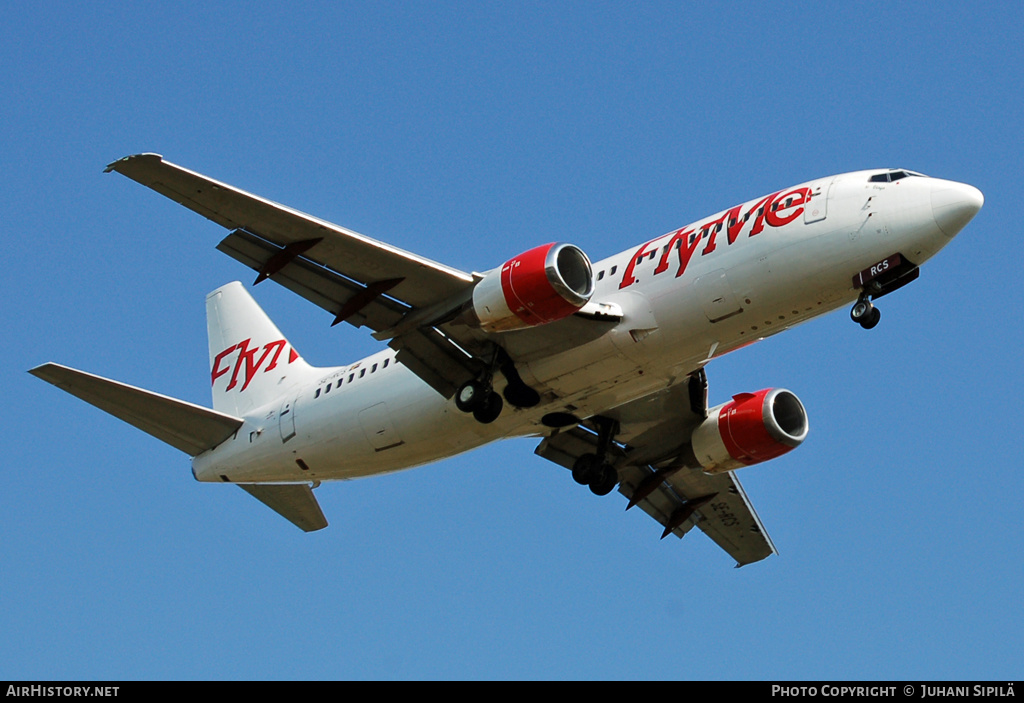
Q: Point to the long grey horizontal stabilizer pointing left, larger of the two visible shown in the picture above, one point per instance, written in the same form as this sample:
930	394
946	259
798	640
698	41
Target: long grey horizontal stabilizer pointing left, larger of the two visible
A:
192	429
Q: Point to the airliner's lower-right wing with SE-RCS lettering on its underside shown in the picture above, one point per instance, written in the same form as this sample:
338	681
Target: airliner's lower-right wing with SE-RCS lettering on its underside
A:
649	453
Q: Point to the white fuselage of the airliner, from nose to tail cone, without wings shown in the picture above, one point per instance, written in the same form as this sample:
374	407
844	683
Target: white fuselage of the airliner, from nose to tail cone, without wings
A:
743	276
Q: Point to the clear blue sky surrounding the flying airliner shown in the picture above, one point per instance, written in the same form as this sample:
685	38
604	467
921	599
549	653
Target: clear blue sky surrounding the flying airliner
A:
467	133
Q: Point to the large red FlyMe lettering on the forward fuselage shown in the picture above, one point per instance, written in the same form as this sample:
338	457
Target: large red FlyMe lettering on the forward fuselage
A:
777	210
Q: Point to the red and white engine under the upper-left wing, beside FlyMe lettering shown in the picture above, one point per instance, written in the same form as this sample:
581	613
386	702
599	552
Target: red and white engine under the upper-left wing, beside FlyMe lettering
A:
538	287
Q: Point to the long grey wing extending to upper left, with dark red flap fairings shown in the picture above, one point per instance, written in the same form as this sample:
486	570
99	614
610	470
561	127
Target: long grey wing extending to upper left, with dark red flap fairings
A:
399	295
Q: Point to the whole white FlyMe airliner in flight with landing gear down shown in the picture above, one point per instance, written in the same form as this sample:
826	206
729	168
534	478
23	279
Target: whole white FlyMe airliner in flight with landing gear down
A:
604	363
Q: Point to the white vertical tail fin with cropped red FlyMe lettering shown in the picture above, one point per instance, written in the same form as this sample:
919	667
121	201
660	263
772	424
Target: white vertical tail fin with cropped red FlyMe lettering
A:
251	363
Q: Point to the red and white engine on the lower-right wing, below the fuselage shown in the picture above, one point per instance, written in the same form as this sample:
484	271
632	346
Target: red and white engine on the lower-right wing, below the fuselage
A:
750	429
